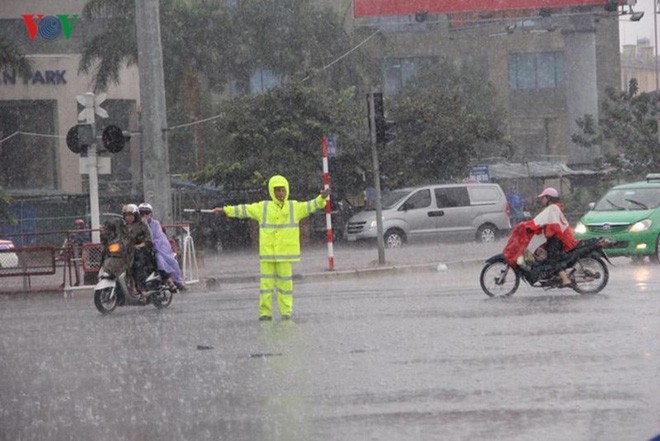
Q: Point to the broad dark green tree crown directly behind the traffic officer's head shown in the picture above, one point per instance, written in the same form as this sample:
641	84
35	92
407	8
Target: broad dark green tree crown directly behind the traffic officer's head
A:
280	132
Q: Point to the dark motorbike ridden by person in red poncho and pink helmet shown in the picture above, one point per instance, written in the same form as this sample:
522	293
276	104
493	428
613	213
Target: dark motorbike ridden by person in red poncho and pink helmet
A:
585	265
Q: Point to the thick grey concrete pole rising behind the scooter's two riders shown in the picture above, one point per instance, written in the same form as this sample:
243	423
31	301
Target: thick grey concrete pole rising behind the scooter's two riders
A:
153	118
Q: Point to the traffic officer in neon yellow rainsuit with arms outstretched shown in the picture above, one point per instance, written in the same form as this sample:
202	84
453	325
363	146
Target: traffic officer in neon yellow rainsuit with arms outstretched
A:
279	241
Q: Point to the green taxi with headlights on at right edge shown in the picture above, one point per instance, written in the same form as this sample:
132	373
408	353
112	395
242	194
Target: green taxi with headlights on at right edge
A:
629	215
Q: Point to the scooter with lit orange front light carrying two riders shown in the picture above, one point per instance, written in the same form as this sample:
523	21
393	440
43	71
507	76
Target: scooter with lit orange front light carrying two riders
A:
112	288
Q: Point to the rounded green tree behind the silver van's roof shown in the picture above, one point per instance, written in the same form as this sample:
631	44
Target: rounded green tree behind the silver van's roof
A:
446	118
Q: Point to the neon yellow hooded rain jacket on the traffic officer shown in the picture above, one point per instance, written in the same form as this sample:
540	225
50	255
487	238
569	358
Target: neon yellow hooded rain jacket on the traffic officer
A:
279	230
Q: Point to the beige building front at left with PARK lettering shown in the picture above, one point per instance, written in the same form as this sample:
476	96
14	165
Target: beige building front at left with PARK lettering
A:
37	112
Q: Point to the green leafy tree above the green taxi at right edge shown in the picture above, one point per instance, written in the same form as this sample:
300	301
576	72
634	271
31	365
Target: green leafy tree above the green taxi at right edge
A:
627	130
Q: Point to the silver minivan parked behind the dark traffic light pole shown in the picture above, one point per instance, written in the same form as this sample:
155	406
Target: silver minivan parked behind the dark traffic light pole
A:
451	211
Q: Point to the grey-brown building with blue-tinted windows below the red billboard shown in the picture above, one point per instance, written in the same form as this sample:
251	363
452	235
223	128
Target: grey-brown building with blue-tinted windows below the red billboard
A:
550	66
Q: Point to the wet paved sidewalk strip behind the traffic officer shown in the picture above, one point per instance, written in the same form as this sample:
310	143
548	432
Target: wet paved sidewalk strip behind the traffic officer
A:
350	259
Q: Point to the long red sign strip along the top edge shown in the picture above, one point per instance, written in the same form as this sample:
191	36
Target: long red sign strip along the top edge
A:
377	8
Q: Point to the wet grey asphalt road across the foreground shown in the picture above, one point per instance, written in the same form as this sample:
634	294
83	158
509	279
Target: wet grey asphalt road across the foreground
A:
424	356
